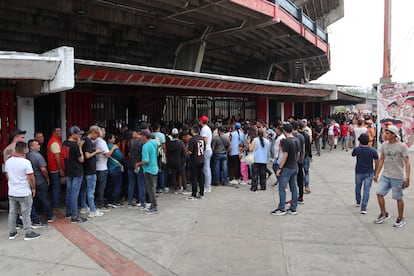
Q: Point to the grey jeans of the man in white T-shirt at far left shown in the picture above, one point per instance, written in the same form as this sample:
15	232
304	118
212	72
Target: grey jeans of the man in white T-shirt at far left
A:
24	206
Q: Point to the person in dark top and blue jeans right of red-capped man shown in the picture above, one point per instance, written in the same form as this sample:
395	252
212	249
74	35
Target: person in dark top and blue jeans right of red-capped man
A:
220	146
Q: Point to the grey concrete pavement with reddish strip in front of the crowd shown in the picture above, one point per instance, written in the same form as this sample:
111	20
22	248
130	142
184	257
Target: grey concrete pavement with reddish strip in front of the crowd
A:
230	232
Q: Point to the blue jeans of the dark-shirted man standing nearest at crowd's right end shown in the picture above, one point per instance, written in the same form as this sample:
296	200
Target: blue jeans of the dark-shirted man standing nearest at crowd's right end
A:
288	176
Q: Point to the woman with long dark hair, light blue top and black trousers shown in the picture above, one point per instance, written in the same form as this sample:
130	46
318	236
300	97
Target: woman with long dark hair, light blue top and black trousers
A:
261	148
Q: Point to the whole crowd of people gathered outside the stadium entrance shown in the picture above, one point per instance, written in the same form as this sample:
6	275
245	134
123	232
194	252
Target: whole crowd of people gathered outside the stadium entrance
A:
106	170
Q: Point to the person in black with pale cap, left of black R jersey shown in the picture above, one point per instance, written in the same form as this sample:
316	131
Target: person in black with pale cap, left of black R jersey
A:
175	161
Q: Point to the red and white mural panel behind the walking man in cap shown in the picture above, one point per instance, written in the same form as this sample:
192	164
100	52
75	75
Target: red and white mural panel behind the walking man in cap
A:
396	106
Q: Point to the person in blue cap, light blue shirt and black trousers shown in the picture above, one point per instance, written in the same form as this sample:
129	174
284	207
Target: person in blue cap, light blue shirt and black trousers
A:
237	138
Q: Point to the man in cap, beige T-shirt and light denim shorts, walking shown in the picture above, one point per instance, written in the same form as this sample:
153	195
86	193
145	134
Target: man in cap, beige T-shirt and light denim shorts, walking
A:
395	165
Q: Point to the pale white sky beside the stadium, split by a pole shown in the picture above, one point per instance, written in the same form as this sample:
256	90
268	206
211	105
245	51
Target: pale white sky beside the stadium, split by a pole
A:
356	43
